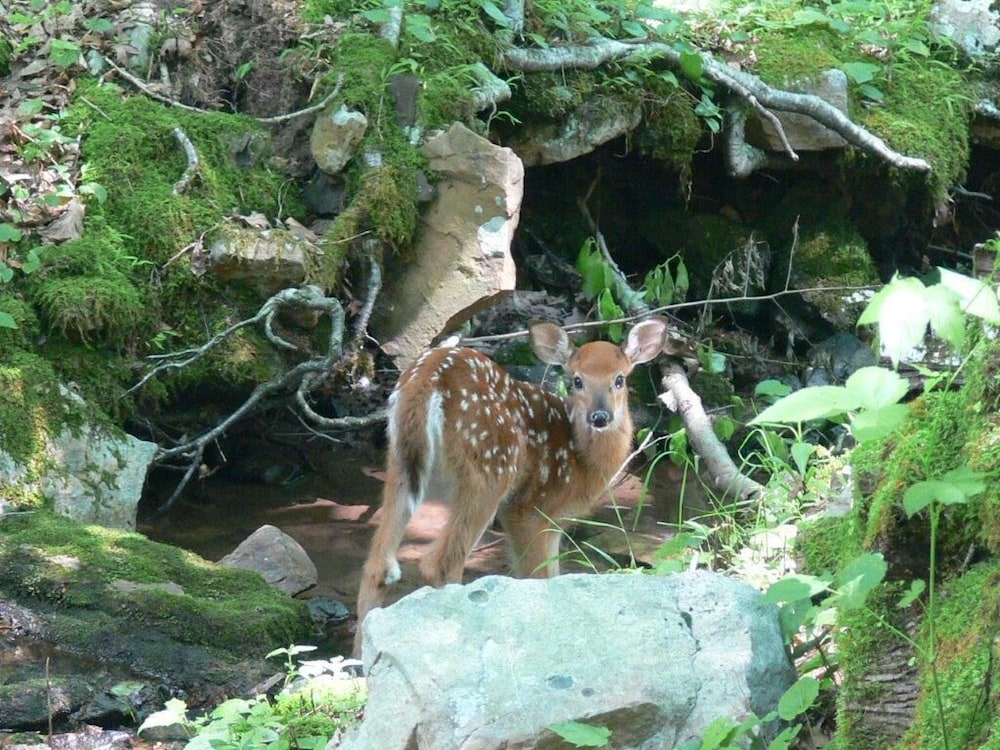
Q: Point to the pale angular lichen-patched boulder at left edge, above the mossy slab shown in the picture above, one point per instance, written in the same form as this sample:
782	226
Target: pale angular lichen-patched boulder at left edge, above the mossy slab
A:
89	473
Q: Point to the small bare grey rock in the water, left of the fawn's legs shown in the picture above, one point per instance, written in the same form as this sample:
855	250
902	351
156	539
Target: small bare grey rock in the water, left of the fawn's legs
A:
278	558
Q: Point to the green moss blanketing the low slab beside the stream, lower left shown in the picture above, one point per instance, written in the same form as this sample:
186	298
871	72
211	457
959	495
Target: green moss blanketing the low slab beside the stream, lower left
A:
72	568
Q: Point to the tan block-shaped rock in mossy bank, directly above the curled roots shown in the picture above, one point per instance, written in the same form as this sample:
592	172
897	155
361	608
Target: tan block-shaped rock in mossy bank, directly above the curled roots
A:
268	260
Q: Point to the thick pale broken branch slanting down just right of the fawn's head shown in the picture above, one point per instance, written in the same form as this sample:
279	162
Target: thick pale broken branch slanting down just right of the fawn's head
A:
678	396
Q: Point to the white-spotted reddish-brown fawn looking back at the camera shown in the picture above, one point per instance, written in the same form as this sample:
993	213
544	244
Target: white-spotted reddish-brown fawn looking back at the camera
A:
462	429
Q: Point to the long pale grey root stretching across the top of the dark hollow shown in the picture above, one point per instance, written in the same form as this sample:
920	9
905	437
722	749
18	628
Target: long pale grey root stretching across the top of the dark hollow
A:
748	87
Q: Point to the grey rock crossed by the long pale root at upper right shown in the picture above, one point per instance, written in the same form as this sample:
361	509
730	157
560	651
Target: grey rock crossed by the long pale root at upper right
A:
802	131
